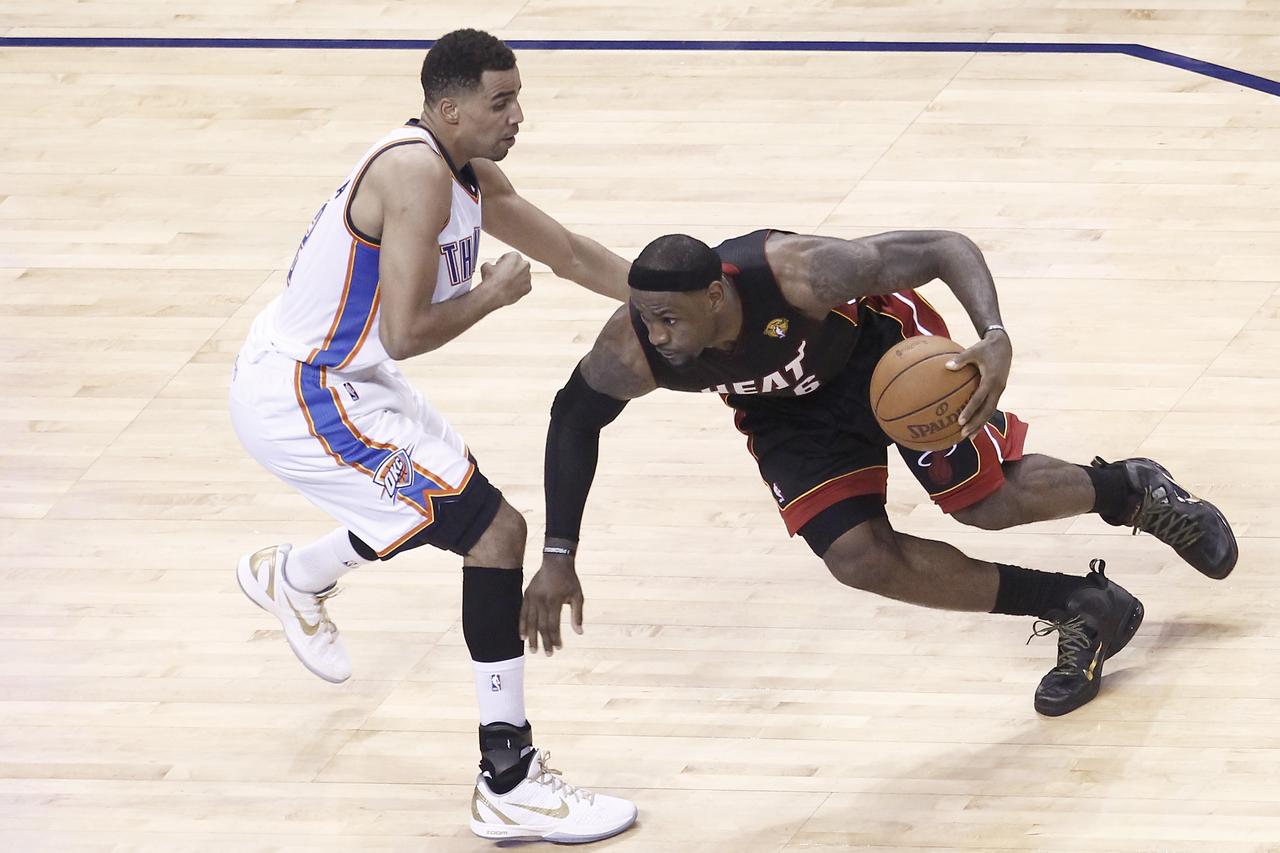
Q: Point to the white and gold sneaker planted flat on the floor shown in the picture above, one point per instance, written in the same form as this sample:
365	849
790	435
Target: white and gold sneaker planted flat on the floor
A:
546	808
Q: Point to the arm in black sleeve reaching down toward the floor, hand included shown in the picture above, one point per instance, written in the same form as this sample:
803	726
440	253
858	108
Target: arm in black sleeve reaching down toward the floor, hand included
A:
611	375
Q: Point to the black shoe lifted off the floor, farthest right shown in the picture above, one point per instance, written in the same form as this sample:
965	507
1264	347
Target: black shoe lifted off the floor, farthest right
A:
1196	530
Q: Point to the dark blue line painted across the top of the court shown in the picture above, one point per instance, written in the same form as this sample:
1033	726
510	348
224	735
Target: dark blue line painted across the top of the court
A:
1139	52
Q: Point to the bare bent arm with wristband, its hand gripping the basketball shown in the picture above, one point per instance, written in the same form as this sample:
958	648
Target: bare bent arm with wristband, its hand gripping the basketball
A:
820	273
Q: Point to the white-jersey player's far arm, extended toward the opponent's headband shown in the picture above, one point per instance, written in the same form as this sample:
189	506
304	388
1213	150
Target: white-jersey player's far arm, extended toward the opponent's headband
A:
519	223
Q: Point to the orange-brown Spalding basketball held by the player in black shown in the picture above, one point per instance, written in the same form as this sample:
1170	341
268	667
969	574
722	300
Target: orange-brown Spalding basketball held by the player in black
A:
916	399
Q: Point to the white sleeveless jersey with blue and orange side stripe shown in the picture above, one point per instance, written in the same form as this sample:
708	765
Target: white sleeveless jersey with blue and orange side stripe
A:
328	314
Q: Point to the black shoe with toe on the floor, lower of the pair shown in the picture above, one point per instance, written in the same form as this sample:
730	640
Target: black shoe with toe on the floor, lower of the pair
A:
1100	621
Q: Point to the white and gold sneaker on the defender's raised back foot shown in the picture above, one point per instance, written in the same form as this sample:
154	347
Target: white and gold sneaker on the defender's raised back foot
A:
312	635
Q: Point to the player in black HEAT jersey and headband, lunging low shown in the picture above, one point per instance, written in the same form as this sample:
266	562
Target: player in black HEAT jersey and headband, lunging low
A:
788	329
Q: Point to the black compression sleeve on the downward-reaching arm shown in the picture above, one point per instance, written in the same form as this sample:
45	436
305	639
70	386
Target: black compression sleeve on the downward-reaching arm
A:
573	448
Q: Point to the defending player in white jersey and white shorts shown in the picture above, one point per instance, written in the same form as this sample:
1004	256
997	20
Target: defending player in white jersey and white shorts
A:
386	272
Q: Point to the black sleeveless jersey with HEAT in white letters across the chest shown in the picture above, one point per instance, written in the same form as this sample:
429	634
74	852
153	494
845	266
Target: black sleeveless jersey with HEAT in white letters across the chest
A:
780	352
